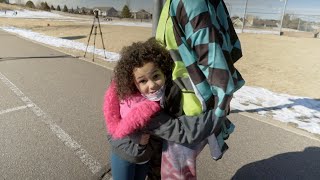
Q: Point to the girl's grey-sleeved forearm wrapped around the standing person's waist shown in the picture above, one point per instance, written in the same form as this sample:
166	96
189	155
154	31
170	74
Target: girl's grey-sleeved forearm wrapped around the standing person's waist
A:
186	129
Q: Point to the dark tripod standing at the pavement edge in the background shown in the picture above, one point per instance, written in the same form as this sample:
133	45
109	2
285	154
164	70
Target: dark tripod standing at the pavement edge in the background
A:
96	17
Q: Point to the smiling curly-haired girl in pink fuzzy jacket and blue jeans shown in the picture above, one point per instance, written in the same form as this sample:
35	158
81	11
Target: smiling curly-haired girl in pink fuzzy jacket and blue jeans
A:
141	106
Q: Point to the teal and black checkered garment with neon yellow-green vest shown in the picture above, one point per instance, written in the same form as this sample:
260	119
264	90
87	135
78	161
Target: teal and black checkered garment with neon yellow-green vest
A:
202	41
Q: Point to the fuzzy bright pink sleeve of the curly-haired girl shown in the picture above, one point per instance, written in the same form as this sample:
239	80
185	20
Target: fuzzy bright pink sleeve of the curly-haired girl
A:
137	118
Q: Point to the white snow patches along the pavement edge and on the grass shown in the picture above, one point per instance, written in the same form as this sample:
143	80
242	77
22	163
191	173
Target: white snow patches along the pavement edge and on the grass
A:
303	111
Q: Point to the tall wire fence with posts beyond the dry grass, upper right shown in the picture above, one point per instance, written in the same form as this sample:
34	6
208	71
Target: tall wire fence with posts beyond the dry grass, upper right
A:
270	16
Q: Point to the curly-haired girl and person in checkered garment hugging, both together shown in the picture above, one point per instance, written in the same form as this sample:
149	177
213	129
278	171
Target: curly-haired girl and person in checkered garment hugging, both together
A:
171	96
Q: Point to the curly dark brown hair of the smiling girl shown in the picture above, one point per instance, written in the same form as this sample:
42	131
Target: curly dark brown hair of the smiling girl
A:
135	56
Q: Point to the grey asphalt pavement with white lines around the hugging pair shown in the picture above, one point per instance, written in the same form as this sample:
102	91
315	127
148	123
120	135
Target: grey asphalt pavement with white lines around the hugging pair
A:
52	127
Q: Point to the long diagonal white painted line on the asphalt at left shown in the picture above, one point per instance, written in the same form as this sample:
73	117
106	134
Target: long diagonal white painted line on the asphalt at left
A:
93	165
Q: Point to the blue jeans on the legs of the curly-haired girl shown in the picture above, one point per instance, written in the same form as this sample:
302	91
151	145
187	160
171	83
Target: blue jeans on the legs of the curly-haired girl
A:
124	170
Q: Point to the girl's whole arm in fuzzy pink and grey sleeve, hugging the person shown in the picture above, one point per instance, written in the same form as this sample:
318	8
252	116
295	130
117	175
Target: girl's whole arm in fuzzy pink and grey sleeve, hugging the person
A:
184	129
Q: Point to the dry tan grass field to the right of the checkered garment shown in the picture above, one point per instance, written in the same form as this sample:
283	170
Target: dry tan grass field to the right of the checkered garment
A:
283	64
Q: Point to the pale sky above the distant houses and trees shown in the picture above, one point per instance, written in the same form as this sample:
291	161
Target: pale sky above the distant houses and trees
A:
266	6
